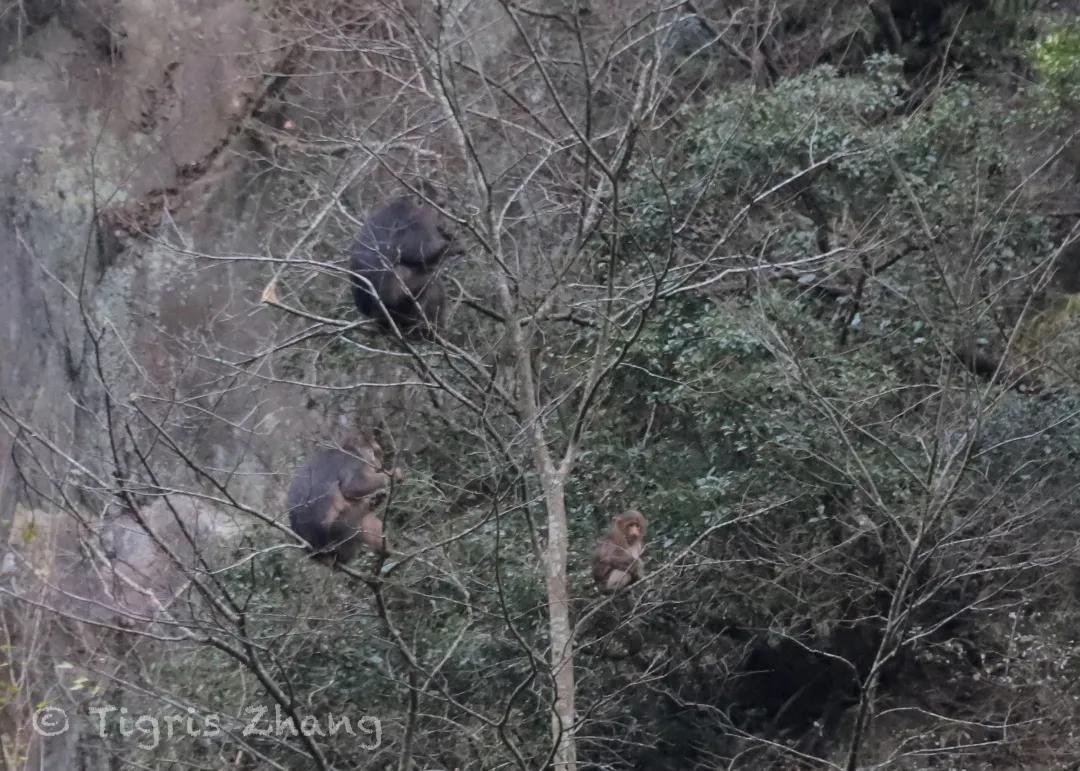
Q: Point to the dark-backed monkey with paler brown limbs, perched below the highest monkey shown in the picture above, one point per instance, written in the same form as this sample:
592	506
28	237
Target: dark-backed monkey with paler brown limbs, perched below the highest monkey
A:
330	501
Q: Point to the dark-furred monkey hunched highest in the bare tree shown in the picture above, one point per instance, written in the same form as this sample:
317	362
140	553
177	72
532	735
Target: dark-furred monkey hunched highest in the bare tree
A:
398	251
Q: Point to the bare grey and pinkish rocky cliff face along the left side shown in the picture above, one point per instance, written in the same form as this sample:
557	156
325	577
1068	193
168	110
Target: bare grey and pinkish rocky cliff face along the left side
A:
126	116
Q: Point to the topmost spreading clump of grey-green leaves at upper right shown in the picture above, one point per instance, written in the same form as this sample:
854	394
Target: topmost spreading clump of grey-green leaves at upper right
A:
832	147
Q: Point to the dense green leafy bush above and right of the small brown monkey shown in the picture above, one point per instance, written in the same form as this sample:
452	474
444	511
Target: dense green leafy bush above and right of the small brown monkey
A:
727	424
